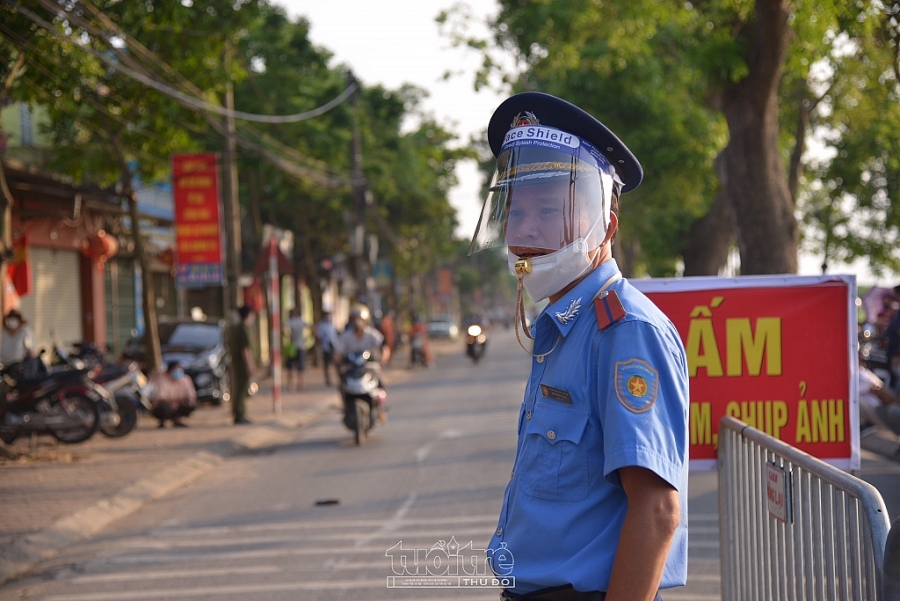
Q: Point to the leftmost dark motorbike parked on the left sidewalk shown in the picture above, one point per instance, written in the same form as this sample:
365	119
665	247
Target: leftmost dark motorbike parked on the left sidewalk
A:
51	403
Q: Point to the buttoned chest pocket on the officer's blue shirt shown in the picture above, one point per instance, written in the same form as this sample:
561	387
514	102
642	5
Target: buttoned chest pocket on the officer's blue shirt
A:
553	465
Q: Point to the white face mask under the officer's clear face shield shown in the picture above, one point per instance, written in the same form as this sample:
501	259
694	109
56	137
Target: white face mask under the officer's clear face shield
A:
554	271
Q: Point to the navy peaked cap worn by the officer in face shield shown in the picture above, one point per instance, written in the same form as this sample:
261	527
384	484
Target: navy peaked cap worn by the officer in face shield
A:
556	112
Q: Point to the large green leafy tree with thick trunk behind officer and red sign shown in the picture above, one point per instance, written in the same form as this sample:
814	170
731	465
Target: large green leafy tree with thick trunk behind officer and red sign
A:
718	99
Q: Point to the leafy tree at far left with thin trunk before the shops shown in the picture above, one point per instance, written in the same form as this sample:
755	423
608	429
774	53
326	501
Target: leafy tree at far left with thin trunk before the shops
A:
106	126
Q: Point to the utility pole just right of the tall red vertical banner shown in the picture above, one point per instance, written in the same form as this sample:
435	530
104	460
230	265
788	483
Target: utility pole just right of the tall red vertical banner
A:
231	206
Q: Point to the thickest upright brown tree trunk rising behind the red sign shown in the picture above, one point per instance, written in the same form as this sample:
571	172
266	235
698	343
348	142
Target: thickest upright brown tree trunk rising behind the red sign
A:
756	183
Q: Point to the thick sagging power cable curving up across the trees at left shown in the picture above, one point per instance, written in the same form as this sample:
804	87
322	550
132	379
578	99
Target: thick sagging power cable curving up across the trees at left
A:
186	98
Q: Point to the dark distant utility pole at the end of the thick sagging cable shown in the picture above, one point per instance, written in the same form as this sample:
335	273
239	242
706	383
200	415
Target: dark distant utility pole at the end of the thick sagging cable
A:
358	259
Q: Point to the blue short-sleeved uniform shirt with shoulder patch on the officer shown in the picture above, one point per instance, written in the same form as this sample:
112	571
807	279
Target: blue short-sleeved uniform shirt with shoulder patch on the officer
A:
601	400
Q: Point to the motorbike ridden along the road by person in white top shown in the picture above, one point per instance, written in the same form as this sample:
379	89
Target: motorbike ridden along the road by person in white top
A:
362	393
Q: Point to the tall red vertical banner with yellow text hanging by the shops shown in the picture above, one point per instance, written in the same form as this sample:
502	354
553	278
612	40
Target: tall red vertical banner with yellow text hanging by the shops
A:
198	234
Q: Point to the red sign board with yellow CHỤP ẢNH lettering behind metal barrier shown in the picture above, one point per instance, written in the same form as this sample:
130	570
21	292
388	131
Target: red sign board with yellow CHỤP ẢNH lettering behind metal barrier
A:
778	353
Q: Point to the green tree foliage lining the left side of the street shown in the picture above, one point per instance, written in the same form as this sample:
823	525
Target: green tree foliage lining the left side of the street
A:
106	126
